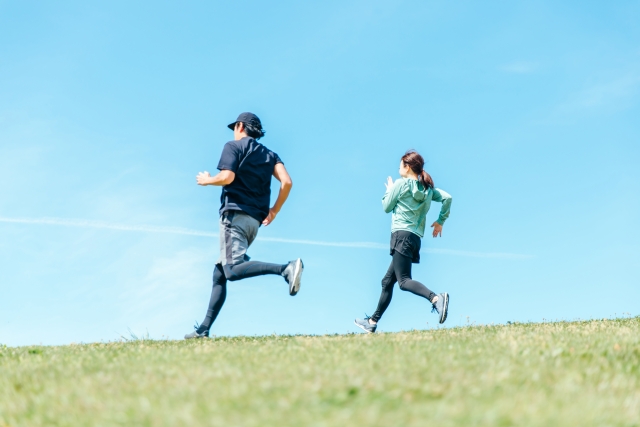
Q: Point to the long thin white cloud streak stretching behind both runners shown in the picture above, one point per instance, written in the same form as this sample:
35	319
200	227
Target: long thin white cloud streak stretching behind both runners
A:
69	222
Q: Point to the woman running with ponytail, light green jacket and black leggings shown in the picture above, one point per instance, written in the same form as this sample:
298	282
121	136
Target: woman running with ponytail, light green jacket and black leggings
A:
409	199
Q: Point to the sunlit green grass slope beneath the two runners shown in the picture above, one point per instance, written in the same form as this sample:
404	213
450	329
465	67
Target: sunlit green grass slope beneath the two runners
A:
549	374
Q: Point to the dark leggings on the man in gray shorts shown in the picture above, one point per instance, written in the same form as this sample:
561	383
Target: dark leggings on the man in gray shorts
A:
232	273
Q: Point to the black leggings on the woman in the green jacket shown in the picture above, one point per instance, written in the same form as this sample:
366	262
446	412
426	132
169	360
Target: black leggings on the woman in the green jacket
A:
399	271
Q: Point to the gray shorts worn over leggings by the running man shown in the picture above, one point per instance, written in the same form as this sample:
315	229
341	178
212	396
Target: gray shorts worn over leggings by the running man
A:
237	232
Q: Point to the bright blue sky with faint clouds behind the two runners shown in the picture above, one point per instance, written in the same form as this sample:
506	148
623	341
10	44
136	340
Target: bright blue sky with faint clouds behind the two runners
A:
526	112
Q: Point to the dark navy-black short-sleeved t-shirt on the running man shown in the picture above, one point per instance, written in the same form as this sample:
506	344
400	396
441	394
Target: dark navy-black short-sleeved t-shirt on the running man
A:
250	191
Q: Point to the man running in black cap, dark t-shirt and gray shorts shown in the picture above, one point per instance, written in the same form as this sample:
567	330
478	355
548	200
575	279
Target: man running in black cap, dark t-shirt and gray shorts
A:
246	167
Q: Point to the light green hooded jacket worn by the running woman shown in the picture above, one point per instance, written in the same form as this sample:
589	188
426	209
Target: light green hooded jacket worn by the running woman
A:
409	202
